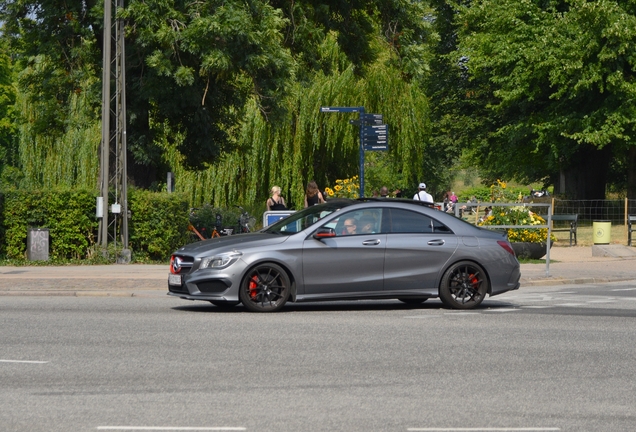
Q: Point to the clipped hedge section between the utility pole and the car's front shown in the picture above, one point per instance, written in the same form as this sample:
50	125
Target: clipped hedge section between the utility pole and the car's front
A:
158	224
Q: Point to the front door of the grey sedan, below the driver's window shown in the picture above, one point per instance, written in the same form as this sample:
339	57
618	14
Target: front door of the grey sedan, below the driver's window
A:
347	263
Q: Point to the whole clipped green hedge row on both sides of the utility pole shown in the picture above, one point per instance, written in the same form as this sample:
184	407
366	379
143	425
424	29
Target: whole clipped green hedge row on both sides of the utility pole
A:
157	227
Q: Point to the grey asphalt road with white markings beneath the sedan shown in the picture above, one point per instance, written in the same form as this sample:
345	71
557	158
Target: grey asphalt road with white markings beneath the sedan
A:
541	359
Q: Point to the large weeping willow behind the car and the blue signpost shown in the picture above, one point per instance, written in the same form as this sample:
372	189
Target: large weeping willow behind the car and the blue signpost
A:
307	144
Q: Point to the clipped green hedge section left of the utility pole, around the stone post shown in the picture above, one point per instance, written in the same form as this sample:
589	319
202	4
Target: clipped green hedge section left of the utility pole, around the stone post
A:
68	215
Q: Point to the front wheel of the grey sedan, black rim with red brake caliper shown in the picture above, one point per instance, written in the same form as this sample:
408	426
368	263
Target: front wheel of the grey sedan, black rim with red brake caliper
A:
265	288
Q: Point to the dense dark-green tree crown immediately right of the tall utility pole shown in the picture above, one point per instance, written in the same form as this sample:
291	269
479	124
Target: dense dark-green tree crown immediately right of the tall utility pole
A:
195	65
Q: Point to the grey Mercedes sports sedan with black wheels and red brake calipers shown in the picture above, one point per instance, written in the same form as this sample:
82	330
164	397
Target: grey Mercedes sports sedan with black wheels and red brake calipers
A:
349	249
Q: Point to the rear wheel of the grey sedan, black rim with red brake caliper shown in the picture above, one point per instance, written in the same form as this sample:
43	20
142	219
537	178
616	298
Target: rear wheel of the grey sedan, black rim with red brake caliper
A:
463	286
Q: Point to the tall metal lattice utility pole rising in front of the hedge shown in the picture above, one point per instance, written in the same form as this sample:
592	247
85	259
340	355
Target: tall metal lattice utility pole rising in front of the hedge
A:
113	180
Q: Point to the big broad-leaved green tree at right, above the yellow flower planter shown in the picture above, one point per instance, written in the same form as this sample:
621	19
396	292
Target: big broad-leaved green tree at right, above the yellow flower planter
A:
554	83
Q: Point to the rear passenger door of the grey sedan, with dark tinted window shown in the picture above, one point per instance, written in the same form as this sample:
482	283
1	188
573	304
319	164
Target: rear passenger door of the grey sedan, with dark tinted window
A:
417	247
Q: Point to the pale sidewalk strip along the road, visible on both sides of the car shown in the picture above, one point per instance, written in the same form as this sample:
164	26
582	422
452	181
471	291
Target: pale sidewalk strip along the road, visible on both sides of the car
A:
568	265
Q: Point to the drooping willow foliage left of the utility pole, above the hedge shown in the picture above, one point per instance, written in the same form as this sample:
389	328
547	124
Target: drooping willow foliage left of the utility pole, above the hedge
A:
58	138
